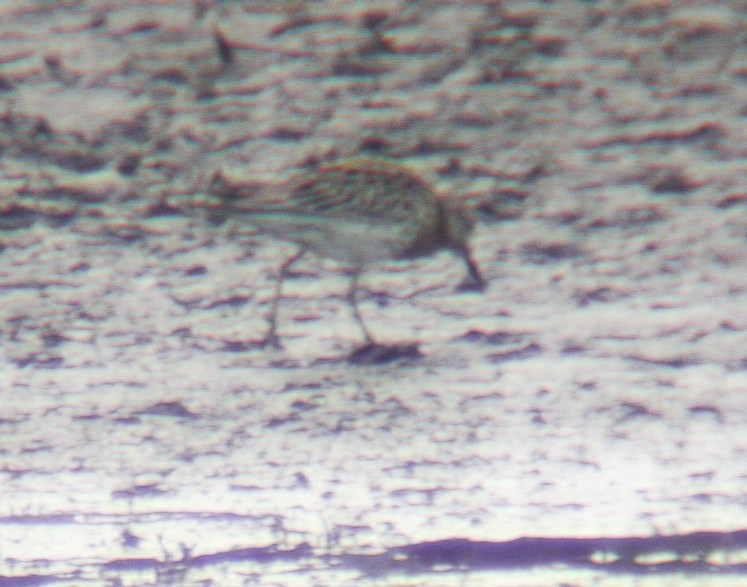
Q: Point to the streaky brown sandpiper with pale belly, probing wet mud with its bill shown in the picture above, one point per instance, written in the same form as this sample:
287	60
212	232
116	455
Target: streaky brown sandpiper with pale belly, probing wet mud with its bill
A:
357	212
